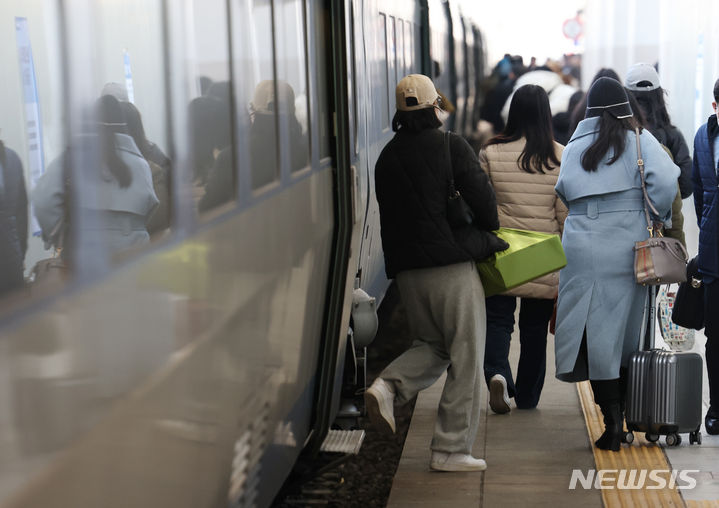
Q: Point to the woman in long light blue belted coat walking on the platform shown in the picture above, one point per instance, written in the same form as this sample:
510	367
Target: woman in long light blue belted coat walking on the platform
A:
600	306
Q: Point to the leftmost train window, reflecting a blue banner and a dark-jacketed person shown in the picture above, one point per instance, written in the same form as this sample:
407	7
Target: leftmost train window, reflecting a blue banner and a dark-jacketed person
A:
31	132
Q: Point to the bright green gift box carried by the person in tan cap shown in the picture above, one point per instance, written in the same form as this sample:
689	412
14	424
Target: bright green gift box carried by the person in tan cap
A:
530	255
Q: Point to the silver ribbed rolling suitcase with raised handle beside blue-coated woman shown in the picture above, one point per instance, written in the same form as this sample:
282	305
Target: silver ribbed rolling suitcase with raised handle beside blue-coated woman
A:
664	390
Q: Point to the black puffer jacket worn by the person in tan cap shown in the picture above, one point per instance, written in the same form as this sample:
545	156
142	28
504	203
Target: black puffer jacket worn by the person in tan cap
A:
412	186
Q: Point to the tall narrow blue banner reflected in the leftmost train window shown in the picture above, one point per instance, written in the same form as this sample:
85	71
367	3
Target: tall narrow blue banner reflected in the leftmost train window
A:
33	123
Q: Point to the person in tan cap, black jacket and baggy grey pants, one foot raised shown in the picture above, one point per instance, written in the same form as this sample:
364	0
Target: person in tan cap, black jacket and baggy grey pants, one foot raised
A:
434	266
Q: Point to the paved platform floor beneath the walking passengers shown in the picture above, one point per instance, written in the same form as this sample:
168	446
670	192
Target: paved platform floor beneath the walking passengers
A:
531	454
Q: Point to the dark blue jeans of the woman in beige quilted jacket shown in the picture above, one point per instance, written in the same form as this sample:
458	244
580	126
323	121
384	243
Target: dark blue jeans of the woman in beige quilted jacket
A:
534	316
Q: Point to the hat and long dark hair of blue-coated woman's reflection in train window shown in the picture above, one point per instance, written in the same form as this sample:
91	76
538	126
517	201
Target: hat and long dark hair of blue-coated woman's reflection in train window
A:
111	121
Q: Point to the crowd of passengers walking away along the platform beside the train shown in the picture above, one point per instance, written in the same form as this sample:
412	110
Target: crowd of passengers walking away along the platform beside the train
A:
558	161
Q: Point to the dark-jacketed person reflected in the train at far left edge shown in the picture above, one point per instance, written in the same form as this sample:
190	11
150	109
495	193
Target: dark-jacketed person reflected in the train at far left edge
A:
13	221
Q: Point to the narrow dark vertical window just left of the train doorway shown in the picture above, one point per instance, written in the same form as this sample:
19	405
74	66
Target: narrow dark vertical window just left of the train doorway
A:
322	36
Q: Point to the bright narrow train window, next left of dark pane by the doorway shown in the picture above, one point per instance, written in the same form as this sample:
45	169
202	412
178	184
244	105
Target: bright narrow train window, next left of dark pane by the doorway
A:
291	94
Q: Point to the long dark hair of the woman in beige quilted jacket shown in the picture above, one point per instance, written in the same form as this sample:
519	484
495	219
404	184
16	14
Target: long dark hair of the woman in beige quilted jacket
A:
530	118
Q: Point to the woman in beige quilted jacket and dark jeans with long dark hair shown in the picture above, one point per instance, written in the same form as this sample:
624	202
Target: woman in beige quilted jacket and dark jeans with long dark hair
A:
523	165
